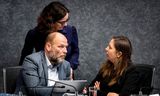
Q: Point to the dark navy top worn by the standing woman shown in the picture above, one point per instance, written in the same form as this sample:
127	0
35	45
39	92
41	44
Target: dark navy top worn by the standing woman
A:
34	41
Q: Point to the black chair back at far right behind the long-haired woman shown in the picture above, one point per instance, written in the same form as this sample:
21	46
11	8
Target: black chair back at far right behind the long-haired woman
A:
146	74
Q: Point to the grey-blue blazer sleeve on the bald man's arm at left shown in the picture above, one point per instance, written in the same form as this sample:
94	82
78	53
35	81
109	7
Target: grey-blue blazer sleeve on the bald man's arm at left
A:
35	85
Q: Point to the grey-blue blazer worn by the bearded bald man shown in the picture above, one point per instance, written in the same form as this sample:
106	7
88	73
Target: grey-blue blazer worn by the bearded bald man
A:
36	64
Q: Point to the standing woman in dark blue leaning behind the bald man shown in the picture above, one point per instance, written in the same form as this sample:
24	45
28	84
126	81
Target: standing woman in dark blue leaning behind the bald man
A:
54	17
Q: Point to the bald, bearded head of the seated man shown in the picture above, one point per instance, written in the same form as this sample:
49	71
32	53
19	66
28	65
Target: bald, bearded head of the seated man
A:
56	47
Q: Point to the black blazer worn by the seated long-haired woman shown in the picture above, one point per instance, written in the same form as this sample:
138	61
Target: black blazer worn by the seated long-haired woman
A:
126	85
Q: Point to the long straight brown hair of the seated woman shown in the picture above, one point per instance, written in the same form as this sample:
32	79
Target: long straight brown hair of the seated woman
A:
114	71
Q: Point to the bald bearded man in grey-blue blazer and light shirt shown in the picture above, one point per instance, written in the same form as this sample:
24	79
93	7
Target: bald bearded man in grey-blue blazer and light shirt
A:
49	64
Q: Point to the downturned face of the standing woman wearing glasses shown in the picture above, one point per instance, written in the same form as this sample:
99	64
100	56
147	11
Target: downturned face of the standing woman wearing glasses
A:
59	25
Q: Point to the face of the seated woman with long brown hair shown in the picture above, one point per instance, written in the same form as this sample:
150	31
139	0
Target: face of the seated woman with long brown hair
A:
111	52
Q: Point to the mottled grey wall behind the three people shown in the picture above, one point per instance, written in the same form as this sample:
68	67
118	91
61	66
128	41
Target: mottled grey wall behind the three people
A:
96	21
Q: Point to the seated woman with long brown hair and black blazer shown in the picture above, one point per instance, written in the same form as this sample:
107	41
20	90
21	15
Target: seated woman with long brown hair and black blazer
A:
117	76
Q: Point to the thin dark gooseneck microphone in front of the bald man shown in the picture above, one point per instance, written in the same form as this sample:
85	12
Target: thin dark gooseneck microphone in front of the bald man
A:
76	91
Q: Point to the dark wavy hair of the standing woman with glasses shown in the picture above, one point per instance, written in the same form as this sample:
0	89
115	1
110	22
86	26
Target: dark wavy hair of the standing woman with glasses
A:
51	14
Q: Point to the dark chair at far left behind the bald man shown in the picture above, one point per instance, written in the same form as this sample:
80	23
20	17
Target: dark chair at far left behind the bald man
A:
10	75
